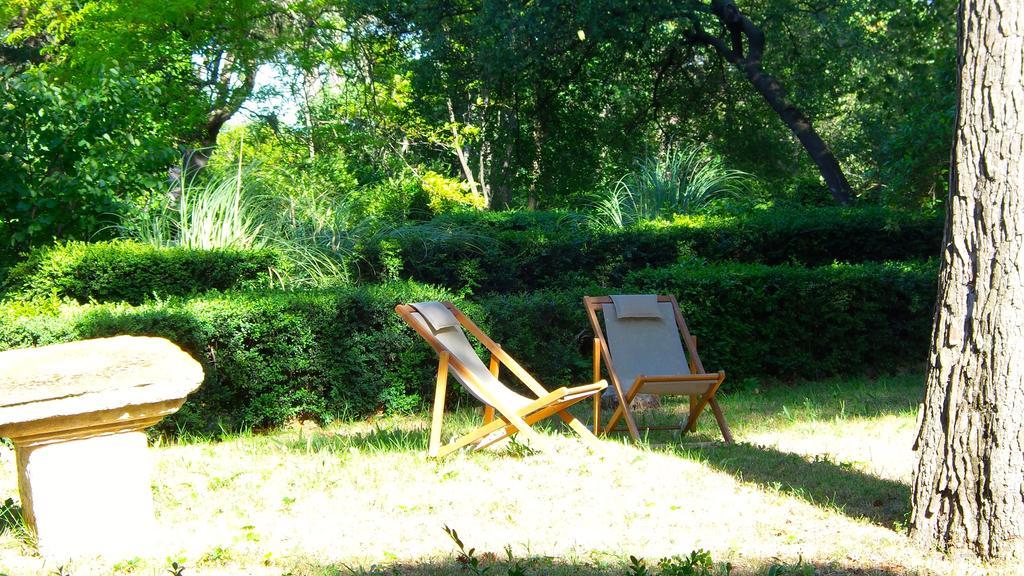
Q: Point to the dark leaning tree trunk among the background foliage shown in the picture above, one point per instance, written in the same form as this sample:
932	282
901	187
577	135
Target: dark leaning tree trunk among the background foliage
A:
749	62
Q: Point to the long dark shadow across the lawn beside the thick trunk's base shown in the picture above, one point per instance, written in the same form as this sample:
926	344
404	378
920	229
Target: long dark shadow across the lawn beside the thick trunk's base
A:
823	482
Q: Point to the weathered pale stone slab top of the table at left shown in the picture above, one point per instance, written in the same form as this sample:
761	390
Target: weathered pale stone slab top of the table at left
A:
91	377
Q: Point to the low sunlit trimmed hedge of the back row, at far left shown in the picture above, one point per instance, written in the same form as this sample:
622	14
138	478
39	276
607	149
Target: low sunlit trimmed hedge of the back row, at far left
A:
122	271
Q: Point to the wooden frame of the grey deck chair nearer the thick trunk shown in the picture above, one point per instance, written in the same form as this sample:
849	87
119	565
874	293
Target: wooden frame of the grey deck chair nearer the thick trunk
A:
698	378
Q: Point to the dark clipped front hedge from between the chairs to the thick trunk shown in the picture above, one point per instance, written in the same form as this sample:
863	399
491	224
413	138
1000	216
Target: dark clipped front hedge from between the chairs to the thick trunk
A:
751	320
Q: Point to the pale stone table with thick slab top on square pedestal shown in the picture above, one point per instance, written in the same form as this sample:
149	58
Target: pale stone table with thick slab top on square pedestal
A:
76	414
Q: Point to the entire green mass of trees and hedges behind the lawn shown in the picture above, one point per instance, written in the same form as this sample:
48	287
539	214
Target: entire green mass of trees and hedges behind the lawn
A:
411	144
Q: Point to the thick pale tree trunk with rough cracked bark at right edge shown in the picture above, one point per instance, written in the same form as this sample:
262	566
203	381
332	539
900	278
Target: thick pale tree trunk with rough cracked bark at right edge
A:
969	486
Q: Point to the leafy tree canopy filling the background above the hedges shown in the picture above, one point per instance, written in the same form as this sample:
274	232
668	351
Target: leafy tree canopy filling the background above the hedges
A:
513	104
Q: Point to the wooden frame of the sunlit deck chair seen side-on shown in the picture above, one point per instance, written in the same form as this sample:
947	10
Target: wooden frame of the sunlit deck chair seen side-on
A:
497	416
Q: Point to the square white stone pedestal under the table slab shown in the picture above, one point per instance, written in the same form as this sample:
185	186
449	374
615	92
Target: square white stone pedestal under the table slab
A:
89	497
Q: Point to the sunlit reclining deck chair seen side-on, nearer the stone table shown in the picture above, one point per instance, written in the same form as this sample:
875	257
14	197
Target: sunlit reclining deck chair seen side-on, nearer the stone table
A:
505	413
